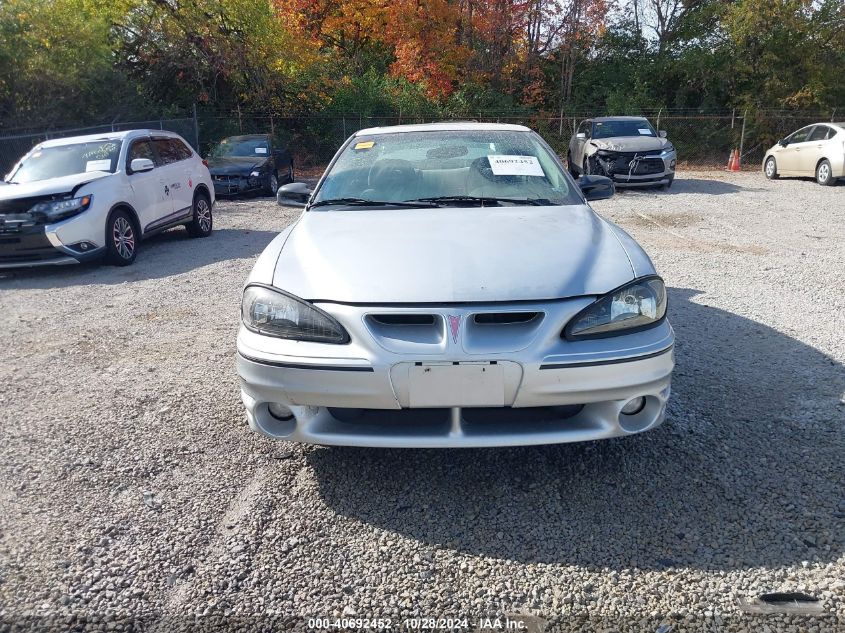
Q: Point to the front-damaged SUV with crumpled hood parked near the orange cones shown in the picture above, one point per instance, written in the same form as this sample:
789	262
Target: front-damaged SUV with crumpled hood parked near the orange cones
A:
626	149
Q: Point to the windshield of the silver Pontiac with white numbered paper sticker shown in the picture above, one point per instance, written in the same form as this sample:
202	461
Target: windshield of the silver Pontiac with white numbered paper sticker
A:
446	168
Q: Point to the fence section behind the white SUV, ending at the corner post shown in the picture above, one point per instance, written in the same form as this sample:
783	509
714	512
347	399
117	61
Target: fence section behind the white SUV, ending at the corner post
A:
13	146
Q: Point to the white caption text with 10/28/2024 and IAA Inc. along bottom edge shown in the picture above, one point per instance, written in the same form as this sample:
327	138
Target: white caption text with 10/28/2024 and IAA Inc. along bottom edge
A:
388	625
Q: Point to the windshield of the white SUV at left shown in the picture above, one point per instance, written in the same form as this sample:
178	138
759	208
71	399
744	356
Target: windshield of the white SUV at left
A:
44	163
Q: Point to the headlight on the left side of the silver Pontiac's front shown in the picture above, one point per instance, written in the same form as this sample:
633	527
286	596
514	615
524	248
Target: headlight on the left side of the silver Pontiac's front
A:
275	313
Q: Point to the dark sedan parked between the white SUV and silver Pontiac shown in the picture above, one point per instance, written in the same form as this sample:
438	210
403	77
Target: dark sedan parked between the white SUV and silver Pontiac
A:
247	164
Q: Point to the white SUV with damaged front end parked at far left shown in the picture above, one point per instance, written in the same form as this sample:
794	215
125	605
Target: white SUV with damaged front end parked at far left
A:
86	197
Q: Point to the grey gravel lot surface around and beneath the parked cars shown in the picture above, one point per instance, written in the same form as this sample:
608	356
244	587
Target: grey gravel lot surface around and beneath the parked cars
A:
133	496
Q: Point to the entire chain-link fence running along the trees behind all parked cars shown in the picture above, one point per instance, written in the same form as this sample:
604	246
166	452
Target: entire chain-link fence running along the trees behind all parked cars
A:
703	140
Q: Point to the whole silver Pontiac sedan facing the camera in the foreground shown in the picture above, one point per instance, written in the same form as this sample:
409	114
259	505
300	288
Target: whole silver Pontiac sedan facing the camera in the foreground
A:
448	285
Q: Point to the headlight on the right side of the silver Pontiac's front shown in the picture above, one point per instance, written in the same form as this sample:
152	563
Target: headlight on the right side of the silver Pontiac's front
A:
637	305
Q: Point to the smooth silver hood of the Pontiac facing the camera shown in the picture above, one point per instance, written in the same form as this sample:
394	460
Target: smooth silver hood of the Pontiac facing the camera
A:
451	255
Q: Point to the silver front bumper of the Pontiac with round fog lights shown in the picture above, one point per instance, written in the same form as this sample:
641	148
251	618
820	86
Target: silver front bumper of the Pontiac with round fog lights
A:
552	391
